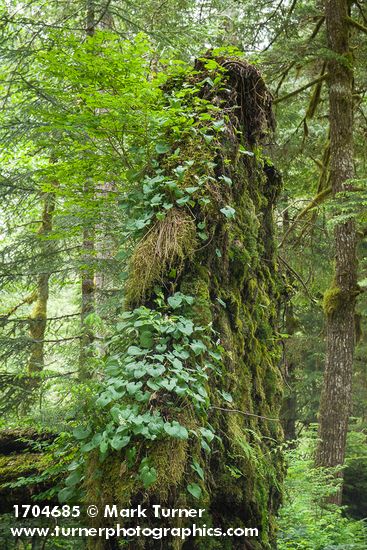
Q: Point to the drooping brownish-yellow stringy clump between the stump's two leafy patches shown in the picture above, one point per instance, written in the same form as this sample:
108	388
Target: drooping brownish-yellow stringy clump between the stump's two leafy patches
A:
163	248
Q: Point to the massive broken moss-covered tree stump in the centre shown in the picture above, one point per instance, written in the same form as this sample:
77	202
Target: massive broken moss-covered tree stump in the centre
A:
221	252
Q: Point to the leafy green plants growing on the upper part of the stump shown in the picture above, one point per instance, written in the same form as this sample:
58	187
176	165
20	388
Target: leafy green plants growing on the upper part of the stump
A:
182	176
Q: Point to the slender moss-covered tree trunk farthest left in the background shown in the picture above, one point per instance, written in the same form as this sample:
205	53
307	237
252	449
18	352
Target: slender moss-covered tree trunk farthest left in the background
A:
38	318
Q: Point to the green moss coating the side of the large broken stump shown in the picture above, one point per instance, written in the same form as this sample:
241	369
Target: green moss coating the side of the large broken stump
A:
243	474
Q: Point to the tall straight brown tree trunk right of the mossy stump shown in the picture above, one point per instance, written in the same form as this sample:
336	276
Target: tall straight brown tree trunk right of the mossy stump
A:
339	300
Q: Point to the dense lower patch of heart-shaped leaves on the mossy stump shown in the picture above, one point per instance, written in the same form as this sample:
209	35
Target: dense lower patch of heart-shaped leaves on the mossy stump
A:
158	355
